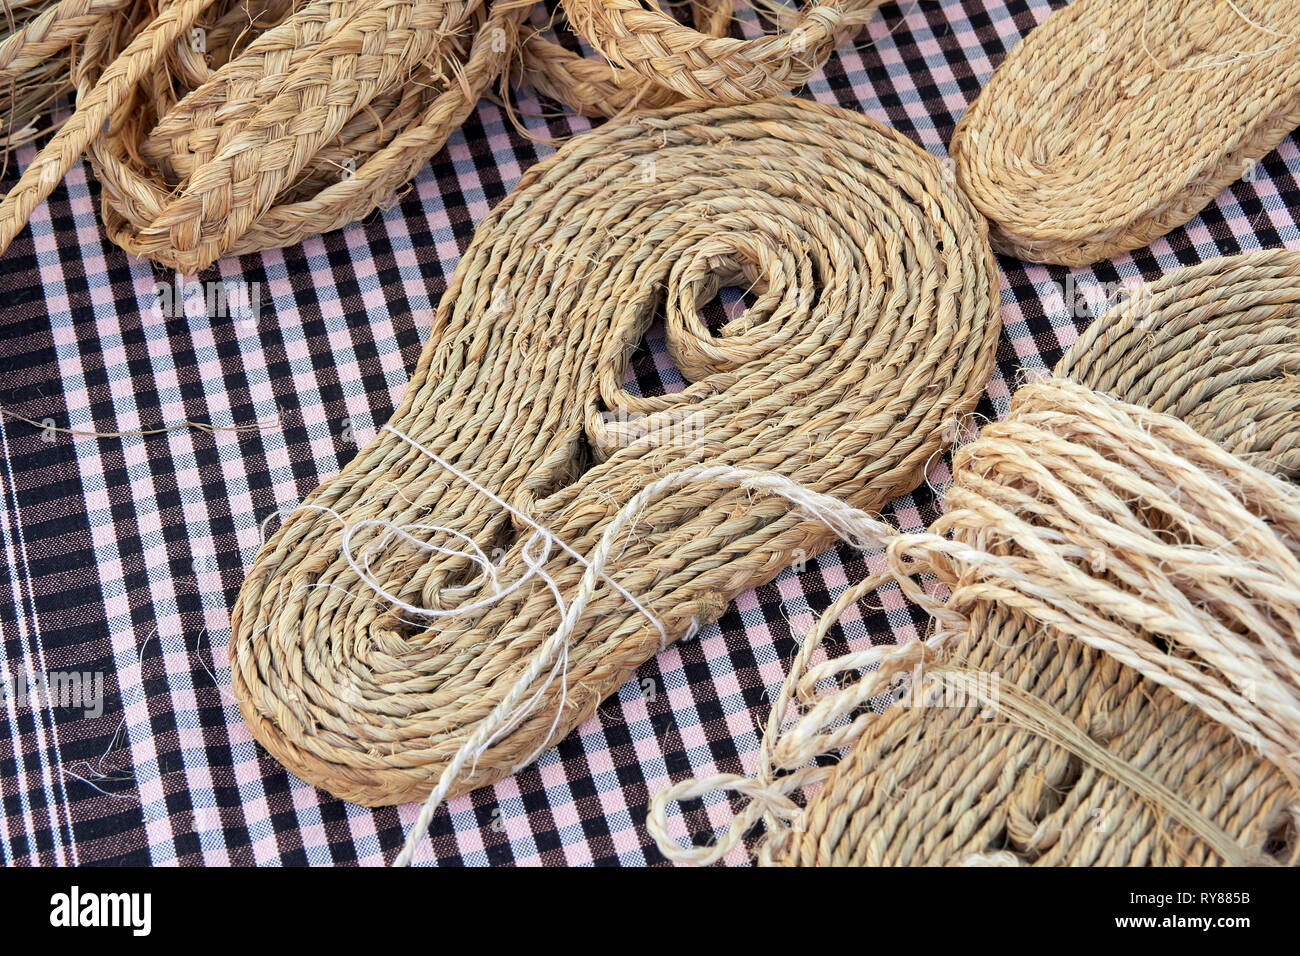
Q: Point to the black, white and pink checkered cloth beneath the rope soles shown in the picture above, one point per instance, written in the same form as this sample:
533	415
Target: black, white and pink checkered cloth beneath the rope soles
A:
123	556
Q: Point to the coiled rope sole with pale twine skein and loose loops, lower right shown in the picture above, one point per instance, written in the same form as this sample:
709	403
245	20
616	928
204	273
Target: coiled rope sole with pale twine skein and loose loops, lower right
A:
1115	672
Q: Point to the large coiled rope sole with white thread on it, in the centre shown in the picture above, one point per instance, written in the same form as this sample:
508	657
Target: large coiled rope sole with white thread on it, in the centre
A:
874	327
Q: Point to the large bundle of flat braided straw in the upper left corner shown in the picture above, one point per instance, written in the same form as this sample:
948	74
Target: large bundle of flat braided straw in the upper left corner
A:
228	128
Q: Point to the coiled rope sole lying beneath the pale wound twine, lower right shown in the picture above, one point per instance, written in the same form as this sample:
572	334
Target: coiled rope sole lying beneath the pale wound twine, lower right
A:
1220	347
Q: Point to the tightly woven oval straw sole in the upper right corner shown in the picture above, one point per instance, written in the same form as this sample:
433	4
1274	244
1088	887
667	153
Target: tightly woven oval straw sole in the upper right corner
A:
1119	120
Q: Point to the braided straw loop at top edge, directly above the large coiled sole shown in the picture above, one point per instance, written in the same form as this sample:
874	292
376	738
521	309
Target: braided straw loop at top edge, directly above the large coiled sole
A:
656	60
